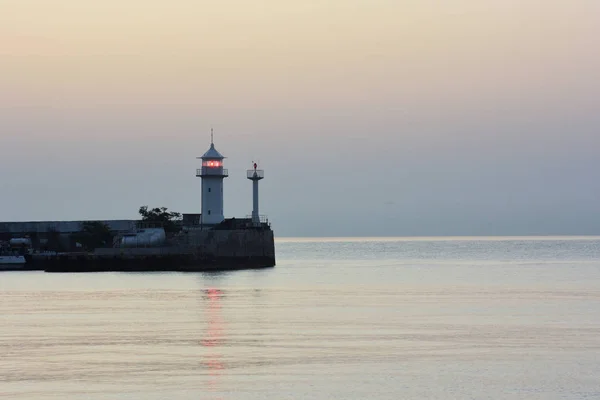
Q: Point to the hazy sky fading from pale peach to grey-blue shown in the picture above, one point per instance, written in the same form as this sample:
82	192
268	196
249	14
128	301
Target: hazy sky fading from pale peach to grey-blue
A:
369	117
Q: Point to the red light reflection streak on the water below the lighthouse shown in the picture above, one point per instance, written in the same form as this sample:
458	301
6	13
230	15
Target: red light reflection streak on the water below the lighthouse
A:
213	338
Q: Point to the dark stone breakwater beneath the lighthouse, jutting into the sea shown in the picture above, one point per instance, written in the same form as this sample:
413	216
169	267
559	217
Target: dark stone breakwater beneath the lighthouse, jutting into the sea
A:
191	249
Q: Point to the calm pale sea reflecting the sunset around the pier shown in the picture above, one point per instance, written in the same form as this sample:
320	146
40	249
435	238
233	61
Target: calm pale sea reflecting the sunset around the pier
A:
337	318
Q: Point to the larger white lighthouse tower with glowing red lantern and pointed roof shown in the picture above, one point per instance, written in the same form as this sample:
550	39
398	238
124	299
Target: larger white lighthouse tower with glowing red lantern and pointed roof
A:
212	174
